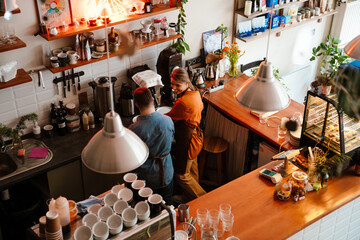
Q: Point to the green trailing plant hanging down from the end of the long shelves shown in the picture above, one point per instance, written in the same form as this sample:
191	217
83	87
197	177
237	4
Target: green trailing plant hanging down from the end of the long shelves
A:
180	45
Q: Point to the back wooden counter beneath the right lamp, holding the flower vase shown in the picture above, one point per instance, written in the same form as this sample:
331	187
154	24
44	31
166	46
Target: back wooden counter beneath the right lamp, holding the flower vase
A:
224	101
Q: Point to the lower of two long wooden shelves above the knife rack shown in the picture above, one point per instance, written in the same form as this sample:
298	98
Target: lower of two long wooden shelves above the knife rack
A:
114	54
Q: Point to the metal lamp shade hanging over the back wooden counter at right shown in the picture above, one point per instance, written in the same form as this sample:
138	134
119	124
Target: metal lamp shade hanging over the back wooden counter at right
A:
263	92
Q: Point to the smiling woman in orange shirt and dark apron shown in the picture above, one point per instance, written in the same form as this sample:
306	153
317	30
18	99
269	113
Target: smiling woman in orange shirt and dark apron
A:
186	114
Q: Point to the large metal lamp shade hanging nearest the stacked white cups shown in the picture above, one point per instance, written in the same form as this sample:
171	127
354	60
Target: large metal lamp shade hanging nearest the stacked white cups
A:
114	149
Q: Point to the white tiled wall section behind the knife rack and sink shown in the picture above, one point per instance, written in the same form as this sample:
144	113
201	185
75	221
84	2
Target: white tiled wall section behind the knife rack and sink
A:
26	98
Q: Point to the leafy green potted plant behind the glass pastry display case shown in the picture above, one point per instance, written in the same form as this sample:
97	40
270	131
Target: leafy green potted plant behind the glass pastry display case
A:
331	57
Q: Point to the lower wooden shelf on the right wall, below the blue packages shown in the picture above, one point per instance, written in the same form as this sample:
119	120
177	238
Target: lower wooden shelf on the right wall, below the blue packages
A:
286	27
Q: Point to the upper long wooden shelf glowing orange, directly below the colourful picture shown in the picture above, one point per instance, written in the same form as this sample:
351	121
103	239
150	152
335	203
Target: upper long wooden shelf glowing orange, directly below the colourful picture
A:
82	28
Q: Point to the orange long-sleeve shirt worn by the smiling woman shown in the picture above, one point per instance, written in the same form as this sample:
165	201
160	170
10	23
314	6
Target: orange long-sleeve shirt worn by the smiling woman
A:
188	107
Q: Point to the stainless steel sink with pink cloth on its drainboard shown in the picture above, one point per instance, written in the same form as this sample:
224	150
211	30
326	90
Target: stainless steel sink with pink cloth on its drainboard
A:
11	164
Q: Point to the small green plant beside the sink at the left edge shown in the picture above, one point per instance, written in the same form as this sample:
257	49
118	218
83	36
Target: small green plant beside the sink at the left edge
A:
15	133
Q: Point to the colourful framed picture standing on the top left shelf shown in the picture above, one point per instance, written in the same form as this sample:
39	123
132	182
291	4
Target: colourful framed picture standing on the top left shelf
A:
54	12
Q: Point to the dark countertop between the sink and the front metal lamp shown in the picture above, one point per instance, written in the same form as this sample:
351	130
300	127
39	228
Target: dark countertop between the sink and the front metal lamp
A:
65	149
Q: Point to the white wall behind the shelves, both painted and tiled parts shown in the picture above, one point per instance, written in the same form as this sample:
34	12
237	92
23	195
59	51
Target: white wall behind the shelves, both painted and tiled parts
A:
202	15
